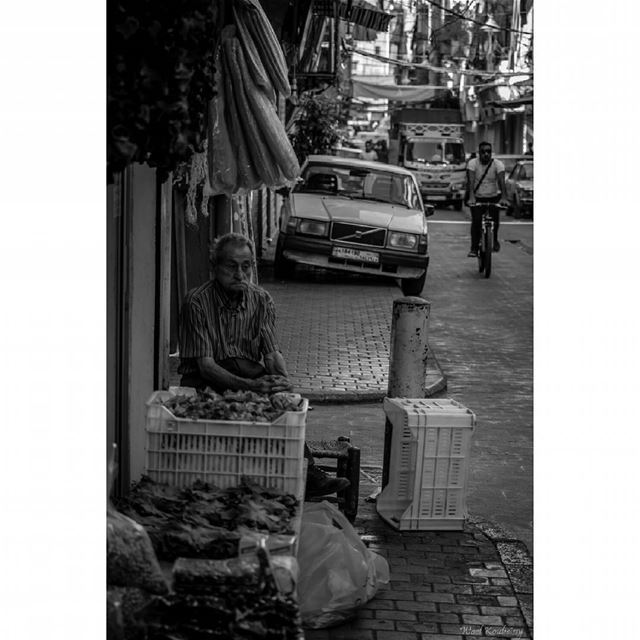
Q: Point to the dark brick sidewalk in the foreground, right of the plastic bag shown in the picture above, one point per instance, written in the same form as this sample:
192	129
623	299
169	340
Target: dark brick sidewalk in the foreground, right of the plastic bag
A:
444	585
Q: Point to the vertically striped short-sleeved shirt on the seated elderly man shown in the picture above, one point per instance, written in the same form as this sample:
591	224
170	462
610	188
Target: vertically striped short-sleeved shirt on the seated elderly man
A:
214	325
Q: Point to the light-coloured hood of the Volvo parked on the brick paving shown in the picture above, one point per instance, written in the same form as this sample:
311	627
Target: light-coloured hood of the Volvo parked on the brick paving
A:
367	212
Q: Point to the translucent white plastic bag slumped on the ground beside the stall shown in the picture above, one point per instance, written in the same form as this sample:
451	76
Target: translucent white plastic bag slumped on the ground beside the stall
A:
338	573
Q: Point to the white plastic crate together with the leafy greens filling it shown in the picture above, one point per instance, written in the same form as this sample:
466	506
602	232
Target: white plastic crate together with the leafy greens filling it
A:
221	438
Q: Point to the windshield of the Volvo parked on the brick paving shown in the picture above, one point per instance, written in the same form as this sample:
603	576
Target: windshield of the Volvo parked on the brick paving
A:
360	183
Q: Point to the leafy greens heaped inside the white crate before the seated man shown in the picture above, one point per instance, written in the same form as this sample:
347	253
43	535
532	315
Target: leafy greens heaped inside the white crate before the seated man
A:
246	406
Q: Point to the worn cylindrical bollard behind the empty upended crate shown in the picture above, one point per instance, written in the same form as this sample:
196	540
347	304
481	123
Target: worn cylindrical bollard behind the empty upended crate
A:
408	359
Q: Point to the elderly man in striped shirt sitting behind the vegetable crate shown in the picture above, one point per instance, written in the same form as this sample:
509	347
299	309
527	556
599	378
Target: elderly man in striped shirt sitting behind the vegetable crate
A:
228	340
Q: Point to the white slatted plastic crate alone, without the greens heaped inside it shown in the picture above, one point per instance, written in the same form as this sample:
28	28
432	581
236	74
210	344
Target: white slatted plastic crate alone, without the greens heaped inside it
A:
181	450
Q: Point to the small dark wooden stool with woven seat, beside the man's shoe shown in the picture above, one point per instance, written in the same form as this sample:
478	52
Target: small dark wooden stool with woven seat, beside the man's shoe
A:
347	459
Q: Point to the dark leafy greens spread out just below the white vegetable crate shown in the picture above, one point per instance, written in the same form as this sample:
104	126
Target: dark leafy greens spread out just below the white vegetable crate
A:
202	521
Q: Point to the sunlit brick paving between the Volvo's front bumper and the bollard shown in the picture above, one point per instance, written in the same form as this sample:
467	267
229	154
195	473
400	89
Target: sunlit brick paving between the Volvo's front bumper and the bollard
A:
336	342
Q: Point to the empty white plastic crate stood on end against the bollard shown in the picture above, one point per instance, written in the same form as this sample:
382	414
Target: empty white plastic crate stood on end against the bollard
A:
428	466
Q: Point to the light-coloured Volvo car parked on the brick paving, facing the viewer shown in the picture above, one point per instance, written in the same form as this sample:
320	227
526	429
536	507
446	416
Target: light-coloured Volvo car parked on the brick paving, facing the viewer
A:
357	216
